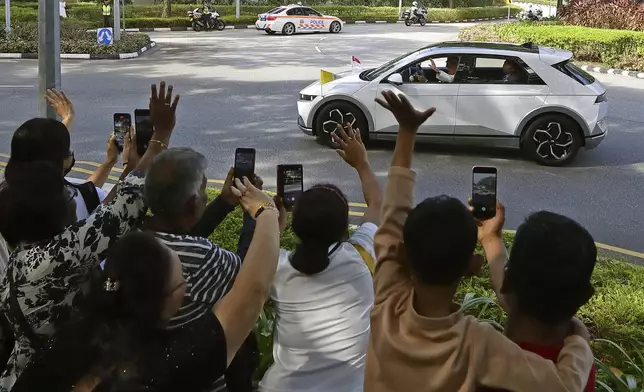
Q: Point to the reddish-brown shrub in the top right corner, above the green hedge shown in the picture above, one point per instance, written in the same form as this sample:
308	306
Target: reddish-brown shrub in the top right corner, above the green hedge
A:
604	14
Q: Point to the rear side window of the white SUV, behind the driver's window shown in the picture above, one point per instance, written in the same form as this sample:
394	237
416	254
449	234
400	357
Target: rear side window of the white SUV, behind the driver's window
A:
500	70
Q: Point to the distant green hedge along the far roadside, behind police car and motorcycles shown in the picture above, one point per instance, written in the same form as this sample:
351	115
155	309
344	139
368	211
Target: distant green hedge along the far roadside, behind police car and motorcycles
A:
89	15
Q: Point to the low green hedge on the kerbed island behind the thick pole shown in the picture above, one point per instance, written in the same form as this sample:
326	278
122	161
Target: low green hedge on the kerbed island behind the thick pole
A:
74	39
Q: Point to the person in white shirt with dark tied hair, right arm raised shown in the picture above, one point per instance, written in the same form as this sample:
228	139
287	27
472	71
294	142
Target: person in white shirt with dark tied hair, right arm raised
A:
323	291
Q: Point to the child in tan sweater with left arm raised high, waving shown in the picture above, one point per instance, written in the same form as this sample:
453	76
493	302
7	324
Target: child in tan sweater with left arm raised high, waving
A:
420	341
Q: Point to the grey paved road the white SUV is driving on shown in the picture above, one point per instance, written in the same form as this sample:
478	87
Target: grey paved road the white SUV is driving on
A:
240	88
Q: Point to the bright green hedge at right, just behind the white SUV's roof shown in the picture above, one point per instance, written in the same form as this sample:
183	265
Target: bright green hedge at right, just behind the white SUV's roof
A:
613	48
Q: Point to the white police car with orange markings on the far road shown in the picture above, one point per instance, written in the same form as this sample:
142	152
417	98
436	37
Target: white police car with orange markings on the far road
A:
291	19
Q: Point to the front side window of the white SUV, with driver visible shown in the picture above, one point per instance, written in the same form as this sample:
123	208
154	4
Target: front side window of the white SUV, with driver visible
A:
441	69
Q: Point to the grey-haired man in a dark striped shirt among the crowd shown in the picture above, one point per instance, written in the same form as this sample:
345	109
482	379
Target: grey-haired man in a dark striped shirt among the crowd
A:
175	192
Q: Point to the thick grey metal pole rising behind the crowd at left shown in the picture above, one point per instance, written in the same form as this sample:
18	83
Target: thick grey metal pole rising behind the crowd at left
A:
48	53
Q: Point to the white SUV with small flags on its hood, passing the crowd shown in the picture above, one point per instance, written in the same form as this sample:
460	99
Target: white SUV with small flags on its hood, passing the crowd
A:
501	95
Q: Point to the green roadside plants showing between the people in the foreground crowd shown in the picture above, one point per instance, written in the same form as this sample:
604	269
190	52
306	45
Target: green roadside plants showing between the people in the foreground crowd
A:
616	311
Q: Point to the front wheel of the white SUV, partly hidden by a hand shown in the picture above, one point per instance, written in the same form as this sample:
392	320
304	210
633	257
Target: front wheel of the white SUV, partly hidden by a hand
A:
337	112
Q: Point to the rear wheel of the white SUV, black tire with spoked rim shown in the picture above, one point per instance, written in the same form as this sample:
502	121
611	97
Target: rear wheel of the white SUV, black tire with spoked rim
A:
552	140
